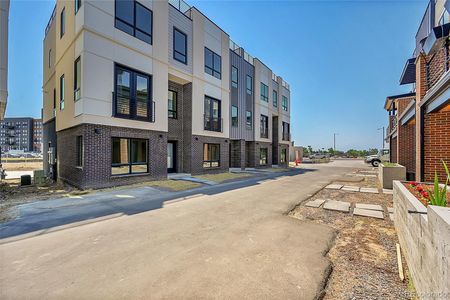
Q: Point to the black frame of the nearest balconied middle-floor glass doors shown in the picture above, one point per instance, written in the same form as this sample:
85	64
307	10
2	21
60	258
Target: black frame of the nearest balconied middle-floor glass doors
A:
133	99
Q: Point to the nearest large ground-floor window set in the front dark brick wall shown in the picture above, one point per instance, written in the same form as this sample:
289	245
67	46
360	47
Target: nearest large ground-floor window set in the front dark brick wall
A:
129	156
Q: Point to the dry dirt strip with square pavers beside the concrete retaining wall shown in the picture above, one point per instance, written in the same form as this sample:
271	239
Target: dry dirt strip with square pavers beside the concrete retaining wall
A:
364	255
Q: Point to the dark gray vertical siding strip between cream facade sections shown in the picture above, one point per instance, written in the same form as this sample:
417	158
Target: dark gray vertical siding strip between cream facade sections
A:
241	99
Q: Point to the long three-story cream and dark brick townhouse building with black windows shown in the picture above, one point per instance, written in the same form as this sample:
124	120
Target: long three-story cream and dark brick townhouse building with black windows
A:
134	90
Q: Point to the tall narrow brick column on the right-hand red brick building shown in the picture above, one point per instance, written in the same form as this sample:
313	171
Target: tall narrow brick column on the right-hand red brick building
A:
421	89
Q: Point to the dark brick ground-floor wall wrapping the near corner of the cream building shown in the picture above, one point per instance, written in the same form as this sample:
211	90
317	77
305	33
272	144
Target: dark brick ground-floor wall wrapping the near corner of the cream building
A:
96	170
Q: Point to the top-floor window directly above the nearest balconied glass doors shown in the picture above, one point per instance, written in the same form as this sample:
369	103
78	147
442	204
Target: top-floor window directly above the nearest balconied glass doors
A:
134	19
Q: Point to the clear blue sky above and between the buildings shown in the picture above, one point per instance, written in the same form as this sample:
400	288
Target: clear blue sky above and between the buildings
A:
341	58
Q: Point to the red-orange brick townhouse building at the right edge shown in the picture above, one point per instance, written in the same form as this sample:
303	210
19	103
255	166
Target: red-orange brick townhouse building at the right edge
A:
423	118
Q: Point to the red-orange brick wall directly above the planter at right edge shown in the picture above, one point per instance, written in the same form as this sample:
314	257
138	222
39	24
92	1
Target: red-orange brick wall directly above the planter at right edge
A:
436	143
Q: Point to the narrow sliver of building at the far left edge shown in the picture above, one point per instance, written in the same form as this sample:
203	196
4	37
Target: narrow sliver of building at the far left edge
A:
4	15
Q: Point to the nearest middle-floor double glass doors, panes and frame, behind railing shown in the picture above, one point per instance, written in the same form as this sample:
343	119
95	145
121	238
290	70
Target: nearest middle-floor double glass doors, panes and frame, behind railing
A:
132	95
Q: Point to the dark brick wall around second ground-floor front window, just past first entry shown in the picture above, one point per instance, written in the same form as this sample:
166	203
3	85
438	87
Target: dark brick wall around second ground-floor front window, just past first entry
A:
197	154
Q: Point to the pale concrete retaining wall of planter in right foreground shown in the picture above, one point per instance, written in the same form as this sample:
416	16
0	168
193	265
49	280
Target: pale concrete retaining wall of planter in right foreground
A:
425	243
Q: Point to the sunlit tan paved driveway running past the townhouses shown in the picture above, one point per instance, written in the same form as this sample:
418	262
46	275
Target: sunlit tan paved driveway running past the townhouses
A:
236	243
